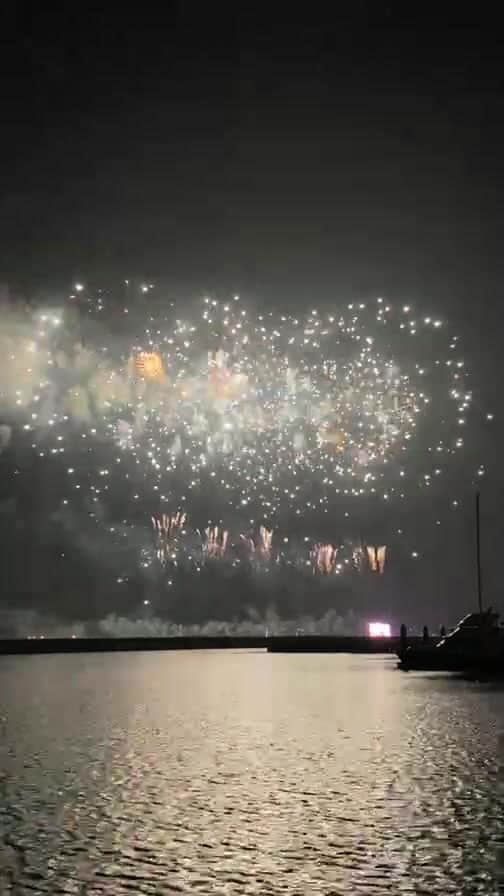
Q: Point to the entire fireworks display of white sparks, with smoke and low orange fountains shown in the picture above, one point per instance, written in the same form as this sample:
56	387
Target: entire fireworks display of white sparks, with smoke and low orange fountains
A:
266	417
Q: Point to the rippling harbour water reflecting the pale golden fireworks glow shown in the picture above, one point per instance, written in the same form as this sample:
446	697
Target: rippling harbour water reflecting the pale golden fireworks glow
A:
245	773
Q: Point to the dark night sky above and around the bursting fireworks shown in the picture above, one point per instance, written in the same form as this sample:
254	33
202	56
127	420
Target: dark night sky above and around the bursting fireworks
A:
294	159
